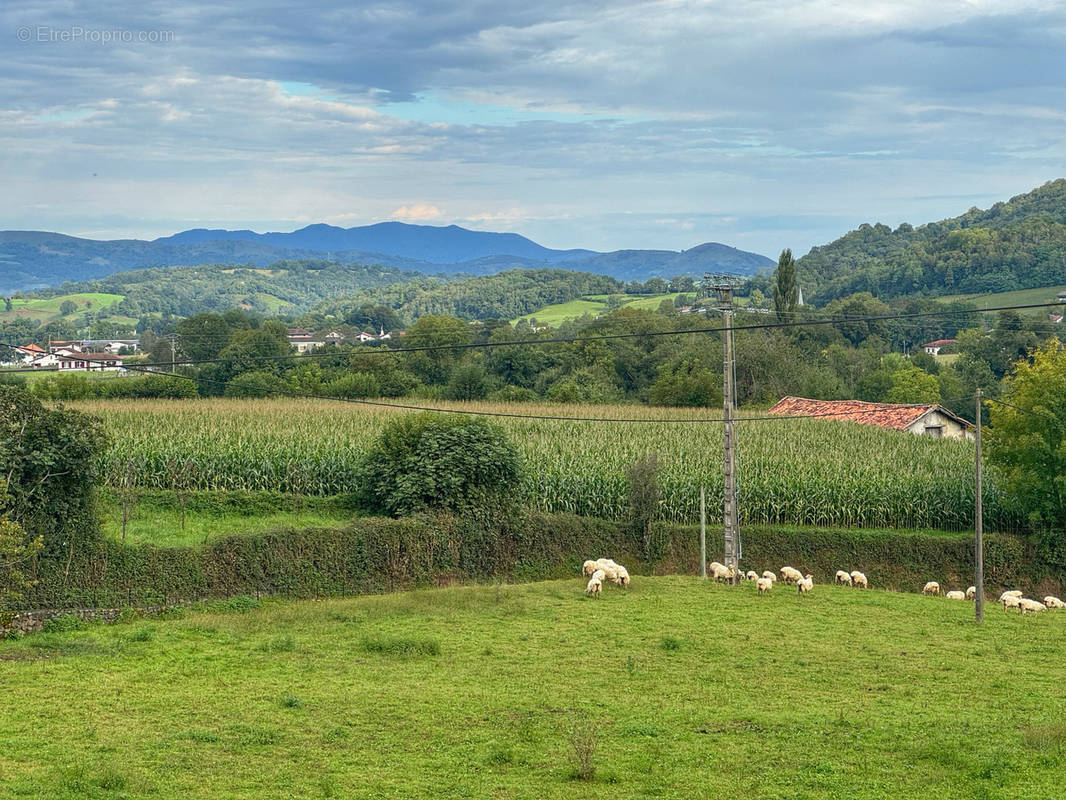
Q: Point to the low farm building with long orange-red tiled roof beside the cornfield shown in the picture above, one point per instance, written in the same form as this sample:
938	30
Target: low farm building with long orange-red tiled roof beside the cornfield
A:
928	420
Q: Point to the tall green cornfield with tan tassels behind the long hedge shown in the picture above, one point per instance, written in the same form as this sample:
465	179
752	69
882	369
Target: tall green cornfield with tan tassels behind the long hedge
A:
800	472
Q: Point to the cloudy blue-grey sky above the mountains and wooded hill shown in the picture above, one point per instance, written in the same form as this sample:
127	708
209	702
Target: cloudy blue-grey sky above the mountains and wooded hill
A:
604	125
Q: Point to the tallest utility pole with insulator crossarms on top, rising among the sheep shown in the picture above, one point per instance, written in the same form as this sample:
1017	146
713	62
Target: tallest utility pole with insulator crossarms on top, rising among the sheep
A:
723	286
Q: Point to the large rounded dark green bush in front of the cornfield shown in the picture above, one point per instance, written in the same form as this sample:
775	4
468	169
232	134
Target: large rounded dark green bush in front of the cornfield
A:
434	462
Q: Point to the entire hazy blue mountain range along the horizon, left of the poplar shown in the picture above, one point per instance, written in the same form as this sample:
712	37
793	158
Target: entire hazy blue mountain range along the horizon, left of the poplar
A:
31	260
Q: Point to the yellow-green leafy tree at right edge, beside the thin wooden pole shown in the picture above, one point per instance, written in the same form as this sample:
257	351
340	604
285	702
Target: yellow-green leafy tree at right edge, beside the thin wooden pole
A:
1028	449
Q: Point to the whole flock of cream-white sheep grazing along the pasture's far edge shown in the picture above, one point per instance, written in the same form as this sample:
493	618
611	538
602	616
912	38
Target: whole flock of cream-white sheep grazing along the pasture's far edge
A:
605	569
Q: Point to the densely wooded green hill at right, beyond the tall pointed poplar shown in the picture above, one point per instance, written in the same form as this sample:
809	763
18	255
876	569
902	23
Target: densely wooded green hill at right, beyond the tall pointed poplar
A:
1017	245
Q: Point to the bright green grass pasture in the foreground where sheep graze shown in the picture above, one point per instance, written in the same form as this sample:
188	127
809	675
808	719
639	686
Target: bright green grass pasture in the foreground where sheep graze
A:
688	691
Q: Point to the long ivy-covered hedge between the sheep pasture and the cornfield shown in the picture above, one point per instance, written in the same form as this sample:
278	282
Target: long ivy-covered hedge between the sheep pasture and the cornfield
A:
378	555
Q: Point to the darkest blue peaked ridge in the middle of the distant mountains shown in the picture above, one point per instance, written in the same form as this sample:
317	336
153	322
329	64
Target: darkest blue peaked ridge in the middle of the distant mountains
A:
425	243
